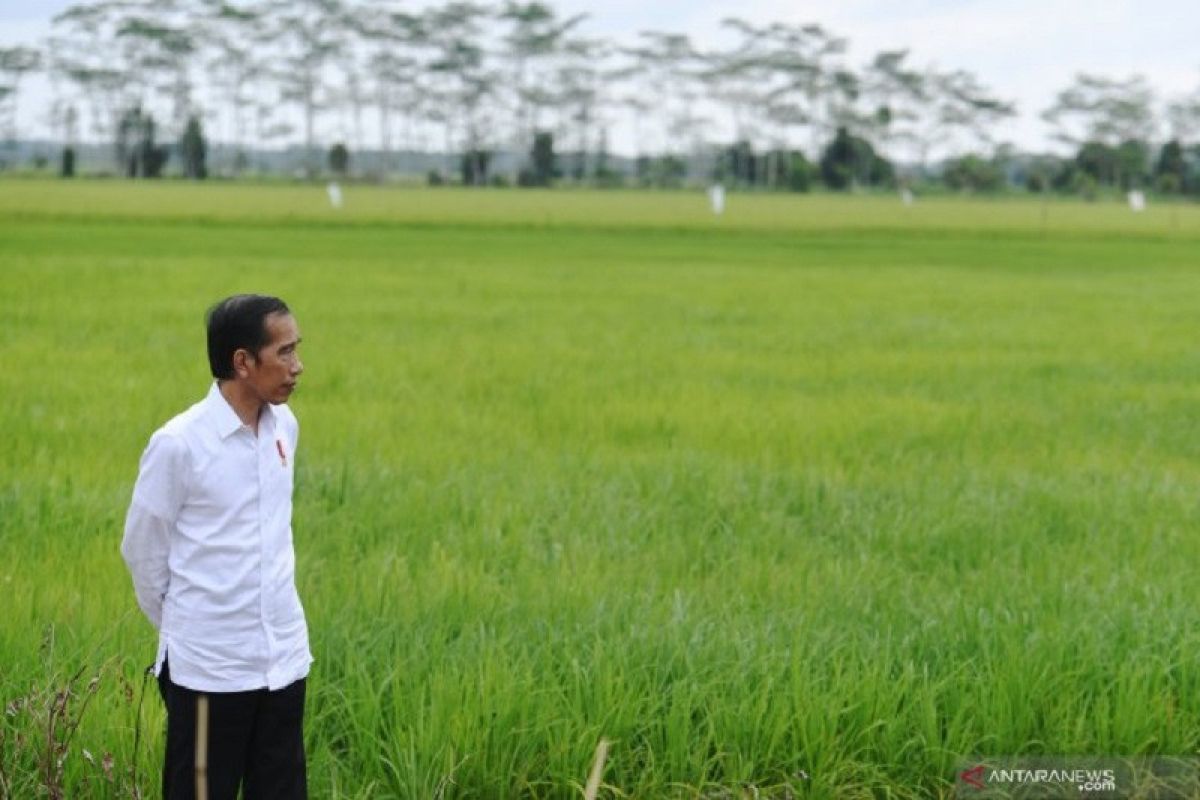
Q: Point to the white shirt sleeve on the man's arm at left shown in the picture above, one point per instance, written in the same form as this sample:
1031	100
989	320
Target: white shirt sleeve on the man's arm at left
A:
158	497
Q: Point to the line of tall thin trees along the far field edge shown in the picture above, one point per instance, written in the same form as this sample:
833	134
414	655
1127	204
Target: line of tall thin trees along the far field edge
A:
778	106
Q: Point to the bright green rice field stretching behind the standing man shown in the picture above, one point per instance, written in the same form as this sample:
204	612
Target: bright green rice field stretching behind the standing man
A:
823	498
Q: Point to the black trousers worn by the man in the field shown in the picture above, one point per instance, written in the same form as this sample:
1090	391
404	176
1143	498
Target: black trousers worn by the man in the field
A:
219	742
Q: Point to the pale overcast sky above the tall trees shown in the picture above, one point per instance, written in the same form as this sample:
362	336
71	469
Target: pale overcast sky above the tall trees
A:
1024	50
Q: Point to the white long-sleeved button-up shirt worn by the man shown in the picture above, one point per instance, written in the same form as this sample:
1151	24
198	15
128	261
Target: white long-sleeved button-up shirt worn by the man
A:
208	540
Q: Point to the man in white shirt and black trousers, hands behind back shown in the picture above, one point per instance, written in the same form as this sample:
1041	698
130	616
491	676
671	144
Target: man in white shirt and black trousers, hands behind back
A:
208	540
